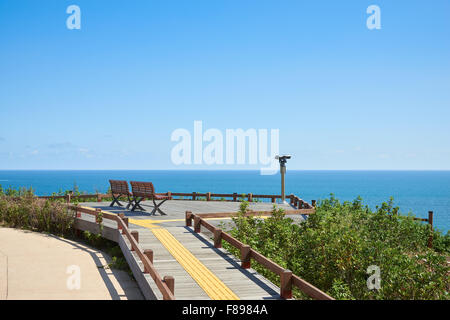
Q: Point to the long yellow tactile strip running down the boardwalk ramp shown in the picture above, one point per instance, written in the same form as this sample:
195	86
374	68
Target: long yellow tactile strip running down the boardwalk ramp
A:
212	285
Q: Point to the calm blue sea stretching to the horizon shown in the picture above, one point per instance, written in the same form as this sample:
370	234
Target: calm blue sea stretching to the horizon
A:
415	191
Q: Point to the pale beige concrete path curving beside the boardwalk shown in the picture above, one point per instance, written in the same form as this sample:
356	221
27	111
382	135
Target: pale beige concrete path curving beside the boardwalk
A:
40	266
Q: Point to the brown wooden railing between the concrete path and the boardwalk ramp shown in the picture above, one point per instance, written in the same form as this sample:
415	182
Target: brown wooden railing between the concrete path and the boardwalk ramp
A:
166	284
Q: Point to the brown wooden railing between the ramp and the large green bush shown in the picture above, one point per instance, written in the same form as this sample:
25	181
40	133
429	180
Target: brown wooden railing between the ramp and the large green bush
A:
287	278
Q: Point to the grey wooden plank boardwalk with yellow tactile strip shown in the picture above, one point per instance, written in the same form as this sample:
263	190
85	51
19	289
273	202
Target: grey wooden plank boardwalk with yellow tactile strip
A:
201	271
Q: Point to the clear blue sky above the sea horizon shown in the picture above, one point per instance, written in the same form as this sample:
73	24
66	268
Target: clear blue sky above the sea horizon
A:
109	96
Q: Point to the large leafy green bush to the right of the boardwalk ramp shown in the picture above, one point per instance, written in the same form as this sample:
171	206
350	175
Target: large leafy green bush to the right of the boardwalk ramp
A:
333	248
